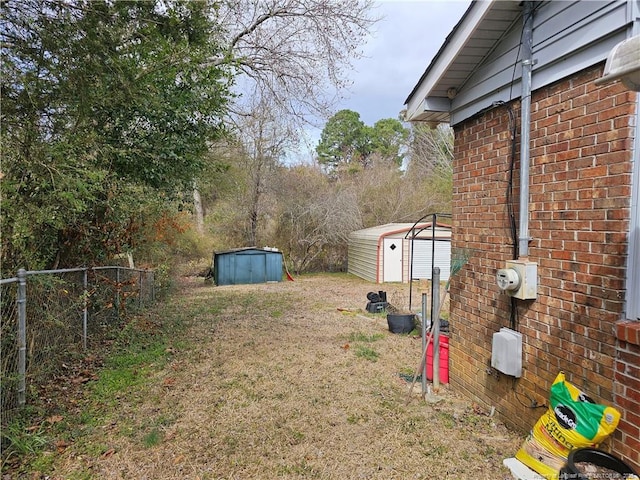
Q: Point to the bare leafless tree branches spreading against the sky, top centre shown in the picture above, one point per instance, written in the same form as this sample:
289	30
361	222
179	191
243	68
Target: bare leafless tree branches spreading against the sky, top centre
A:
295	52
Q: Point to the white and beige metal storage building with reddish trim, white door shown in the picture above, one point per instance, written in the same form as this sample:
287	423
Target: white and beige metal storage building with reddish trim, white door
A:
384	253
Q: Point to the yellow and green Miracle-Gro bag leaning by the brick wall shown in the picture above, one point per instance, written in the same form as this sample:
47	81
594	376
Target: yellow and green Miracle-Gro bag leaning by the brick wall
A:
572	421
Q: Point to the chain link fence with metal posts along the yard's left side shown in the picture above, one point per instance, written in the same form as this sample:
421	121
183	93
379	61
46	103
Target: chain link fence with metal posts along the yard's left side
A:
53	317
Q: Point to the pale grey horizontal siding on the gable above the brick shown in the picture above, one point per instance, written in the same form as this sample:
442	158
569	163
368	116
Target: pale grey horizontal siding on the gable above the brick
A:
568	36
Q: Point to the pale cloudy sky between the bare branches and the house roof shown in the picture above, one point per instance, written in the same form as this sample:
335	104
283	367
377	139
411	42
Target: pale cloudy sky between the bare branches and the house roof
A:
400	48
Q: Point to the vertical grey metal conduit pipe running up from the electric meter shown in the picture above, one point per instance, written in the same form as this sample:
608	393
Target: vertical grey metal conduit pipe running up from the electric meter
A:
525	127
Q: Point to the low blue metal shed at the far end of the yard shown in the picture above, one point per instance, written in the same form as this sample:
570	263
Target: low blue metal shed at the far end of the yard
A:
247	265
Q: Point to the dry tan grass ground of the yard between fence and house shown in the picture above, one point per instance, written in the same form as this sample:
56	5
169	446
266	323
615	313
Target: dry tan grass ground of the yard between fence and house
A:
294	380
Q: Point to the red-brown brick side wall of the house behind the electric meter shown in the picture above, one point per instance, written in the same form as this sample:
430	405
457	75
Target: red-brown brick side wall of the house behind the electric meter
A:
580	190
